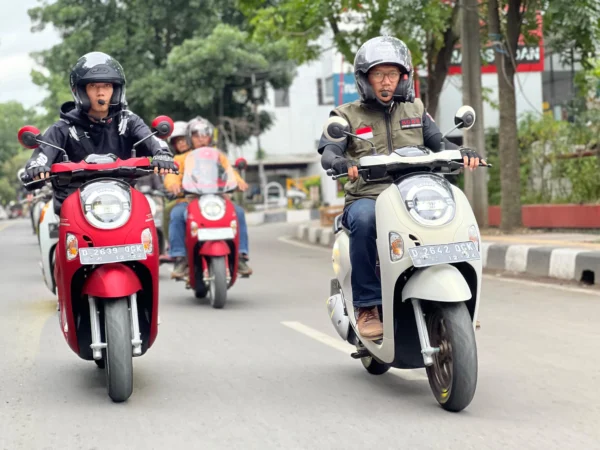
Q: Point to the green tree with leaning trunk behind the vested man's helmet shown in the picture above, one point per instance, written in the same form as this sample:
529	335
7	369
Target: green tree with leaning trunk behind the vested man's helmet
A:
429	28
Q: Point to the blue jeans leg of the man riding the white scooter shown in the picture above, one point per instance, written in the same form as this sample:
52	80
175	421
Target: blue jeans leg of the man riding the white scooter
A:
359	218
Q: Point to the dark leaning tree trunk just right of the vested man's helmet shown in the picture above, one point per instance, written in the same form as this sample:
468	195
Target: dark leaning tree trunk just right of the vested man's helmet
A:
440	63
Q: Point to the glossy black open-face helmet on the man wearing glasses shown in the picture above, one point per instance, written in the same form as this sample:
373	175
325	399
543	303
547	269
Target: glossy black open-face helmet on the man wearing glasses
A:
384	50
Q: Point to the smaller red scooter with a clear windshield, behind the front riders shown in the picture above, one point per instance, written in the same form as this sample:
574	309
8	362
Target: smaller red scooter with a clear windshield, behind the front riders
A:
212	240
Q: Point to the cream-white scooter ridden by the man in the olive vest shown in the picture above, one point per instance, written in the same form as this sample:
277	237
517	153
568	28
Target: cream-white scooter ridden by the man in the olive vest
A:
428	246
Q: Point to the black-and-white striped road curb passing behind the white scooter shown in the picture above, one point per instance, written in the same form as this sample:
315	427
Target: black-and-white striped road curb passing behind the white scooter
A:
563	263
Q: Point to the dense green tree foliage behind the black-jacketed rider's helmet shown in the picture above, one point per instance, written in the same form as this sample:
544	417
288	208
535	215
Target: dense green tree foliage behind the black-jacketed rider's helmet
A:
180	58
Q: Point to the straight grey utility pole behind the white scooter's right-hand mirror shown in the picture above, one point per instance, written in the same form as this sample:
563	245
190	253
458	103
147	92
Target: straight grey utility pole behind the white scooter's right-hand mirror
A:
475	182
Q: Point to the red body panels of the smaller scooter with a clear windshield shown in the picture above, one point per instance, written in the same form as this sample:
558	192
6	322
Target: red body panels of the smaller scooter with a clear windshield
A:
207	249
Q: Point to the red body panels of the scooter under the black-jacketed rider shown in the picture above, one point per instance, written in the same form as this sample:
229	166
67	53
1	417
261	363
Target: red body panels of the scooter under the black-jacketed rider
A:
72	278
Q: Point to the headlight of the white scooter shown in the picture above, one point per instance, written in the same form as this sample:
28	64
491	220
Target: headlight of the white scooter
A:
428	199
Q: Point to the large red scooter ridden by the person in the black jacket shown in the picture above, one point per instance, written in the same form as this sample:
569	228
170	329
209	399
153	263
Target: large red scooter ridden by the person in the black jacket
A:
106	259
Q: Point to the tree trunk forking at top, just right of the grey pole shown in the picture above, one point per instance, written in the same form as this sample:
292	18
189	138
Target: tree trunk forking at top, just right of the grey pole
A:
510	174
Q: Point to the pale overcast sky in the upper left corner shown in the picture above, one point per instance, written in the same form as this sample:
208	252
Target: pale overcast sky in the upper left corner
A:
16	43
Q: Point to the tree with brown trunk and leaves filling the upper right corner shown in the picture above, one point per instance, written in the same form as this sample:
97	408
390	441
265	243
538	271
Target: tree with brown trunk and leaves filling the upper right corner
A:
507	21
